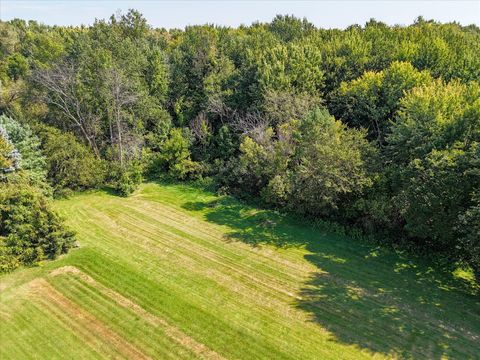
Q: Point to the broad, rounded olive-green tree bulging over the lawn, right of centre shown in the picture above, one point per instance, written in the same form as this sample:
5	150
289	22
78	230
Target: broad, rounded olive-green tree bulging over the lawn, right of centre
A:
308	166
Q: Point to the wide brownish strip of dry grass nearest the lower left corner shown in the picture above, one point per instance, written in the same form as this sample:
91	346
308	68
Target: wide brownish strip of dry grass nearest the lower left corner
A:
83	320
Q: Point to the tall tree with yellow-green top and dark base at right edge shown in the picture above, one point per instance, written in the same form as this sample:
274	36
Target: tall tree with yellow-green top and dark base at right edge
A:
434	151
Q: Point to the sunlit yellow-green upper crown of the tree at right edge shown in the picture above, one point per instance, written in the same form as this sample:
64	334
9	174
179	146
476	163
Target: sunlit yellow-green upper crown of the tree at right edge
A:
437	116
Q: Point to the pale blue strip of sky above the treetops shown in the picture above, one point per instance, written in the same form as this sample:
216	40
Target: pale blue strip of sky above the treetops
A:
178	14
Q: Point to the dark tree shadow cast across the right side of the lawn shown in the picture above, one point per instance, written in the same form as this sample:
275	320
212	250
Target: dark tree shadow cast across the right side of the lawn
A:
364	294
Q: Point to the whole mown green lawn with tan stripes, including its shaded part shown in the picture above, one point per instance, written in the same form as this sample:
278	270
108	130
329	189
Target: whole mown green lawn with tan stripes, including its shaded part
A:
176	272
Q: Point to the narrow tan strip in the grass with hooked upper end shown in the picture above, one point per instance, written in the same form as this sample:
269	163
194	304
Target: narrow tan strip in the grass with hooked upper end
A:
173	332
